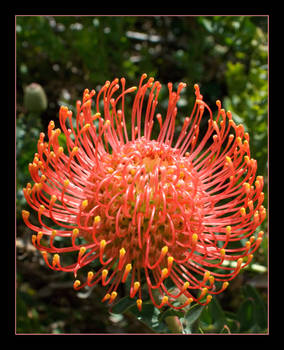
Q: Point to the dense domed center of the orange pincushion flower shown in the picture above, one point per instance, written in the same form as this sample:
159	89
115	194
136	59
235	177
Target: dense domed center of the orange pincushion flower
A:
147	197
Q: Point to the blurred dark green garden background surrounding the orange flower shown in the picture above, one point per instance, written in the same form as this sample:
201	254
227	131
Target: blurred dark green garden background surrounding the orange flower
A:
57	57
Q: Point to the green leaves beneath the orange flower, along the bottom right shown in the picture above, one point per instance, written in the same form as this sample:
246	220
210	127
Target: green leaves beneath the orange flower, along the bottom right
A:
250	317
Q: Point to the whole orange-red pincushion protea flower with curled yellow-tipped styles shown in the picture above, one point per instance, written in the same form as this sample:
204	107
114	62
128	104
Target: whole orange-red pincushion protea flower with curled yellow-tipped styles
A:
161	213
